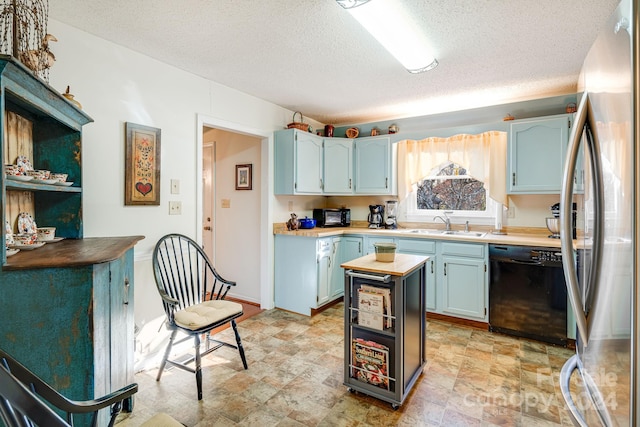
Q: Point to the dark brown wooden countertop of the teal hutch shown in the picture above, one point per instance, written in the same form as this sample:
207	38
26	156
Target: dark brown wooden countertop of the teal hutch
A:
72	253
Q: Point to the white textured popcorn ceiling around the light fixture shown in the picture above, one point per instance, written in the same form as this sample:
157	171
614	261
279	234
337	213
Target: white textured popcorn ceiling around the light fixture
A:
312	56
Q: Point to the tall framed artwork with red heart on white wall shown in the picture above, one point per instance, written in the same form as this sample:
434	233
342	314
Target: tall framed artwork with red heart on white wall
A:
142	165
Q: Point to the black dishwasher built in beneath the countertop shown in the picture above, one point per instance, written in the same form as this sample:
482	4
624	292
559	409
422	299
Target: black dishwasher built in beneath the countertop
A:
527	293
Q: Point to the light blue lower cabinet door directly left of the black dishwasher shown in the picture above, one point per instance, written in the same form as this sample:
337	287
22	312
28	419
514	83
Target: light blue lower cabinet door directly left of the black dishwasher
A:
463	287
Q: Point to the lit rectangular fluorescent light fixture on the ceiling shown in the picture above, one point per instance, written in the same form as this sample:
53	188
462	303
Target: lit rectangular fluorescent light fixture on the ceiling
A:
395	30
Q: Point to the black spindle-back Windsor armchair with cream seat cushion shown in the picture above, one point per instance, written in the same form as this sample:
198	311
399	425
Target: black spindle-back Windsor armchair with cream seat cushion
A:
193	297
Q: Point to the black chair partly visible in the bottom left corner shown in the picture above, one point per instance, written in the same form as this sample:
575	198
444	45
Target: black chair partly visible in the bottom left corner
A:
23	396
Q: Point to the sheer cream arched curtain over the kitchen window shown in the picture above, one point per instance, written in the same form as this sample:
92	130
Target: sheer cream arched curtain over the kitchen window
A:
483	155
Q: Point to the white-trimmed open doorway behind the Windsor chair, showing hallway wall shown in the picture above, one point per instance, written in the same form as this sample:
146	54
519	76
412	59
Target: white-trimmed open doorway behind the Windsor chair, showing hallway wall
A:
234	222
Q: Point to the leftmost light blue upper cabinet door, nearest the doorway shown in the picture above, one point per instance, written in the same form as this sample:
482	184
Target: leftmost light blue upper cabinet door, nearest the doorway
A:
308	164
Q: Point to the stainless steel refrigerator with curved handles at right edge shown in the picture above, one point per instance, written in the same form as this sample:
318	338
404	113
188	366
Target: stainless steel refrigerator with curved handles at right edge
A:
599	382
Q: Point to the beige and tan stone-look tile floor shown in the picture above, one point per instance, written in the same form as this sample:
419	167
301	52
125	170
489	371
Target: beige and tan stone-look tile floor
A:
472	378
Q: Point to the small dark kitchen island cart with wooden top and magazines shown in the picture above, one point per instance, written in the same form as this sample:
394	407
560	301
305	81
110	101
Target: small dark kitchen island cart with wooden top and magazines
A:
384	326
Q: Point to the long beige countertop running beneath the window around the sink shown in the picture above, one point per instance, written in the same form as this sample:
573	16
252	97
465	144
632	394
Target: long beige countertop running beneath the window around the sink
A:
521	236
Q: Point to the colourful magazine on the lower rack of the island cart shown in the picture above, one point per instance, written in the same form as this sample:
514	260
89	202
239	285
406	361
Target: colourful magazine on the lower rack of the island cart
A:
370	362
